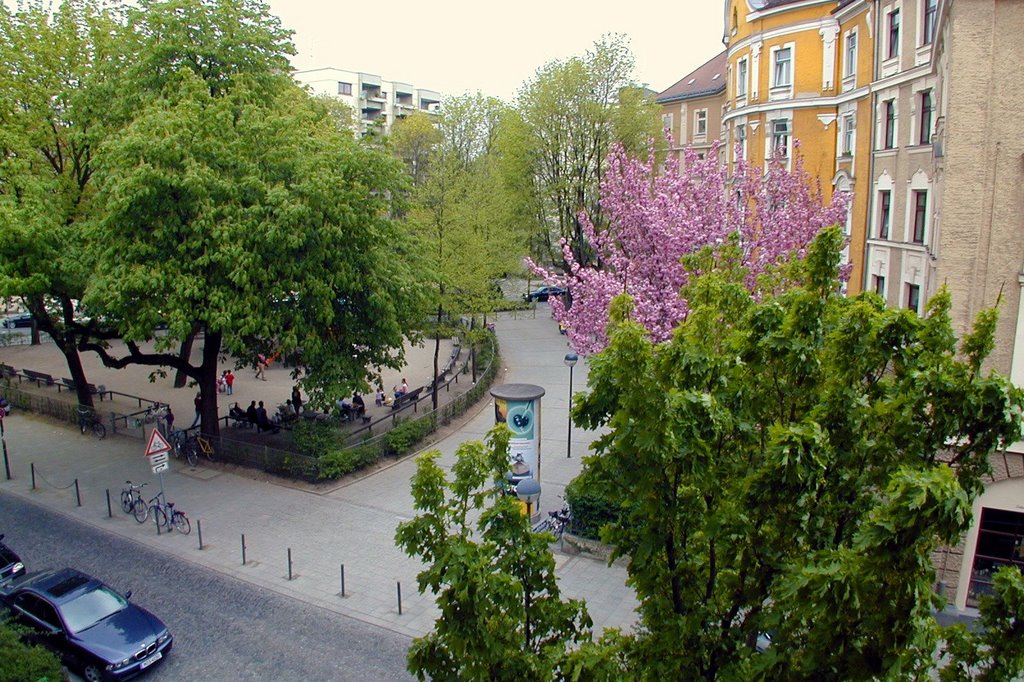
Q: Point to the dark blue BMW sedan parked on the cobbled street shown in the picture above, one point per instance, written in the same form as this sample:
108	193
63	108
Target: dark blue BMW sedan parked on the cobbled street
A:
92	627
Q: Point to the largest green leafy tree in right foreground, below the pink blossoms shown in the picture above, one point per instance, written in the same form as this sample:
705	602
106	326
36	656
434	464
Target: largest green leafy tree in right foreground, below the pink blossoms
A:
787	465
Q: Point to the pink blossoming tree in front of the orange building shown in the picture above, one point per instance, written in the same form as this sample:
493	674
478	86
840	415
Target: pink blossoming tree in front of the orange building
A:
656	219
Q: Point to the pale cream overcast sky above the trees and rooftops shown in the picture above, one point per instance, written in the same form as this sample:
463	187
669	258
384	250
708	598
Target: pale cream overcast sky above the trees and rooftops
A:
457	47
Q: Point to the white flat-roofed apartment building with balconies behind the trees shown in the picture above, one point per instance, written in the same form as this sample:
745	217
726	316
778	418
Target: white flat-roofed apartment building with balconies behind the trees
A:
376	102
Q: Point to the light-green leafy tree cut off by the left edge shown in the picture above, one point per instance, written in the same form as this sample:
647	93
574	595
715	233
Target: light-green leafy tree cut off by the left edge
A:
55	97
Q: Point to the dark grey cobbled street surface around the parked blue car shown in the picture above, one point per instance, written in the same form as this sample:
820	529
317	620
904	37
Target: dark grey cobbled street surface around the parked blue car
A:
224	629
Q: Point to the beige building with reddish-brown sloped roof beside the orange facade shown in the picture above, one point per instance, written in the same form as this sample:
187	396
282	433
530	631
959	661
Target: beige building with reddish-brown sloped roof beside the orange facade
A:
692	109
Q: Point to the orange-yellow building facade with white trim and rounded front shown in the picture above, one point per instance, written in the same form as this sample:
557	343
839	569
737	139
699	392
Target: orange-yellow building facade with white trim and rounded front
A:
798	84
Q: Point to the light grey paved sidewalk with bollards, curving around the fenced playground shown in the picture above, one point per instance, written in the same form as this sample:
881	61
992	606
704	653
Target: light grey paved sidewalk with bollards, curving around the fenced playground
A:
351	527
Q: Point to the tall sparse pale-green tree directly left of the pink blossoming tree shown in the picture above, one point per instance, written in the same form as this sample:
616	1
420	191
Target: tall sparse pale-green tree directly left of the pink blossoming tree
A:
573	112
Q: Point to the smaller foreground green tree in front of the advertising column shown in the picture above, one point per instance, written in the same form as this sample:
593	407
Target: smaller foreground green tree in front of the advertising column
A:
502	617
